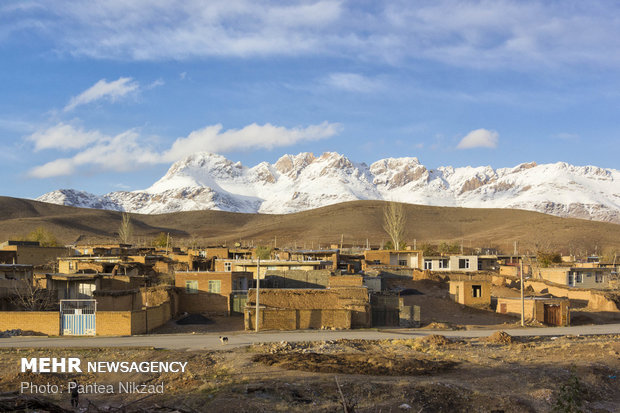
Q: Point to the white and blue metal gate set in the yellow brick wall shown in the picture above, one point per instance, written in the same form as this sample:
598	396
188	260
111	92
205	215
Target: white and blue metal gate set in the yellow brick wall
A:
78	317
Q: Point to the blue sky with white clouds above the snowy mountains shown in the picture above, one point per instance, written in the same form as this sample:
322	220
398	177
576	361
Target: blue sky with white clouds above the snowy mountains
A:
102	96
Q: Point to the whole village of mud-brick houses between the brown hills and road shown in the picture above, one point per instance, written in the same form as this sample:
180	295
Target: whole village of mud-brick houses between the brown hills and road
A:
120	289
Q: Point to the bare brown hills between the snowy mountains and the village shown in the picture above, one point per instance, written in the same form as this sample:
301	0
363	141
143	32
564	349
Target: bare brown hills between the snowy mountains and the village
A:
355	221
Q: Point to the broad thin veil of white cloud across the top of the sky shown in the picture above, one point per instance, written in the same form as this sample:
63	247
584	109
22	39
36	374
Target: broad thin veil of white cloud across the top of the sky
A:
485	34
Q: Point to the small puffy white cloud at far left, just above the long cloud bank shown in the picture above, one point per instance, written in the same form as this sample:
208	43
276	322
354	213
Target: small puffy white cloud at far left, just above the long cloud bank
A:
63	137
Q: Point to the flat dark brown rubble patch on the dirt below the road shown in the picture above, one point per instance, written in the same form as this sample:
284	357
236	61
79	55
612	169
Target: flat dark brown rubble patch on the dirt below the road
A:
354	364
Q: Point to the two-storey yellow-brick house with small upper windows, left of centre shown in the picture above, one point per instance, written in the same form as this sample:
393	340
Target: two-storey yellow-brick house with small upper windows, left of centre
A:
219	292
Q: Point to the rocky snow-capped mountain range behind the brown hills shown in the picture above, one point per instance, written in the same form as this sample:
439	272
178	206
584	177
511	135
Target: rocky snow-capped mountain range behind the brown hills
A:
304	181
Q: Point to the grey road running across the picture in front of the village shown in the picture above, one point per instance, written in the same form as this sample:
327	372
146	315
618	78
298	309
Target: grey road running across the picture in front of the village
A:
210	341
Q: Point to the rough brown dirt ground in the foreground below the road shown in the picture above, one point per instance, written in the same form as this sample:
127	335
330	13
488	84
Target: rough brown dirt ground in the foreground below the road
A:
499	373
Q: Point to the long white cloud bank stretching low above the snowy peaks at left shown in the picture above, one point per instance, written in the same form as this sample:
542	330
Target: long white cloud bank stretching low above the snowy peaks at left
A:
130	151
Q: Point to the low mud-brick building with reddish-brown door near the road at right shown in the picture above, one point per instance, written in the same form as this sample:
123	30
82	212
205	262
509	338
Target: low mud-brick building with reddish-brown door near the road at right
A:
551	311
